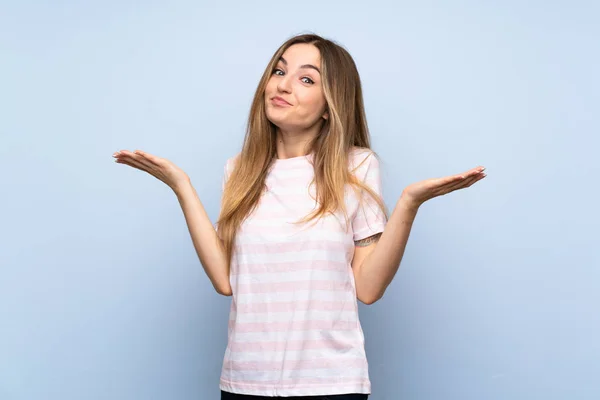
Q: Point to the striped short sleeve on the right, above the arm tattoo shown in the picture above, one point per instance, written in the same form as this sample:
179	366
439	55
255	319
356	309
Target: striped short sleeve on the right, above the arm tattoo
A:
369	218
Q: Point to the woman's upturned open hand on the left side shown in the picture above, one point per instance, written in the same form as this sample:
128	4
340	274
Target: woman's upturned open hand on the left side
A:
160	168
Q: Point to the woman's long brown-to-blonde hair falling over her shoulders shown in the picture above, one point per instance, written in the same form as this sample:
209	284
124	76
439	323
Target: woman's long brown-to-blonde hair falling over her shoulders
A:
345	128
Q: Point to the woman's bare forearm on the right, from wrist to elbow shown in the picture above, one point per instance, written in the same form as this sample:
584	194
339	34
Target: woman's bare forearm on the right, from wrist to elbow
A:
380	266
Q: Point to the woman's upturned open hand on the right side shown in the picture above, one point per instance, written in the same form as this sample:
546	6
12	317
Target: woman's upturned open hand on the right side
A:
419	192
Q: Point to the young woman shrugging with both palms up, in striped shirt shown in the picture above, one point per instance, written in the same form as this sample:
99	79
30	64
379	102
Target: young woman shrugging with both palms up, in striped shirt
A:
303	231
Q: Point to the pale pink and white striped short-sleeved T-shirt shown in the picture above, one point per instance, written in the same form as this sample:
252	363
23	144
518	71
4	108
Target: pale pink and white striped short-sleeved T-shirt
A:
293	327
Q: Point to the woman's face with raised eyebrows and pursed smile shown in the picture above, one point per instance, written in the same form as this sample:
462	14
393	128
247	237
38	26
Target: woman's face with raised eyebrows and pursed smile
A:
294	97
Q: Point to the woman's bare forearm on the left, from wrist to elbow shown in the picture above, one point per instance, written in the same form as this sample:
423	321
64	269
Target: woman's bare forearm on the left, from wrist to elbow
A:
204	237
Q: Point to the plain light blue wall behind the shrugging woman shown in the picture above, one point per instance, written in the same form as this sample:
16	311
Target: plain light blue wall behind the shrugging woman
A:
101	293
